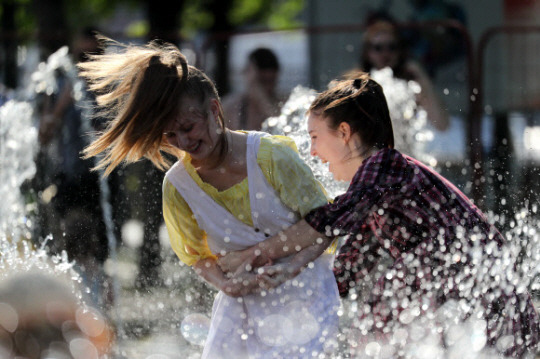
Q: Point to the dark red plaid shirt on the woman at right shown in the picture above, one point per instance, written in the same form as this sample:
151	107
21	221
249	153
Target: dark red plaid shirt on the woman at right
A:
397	205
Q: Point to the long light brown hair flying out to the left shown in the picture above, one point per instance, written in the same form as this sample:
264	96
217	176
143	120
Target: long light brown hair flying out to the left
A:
139	89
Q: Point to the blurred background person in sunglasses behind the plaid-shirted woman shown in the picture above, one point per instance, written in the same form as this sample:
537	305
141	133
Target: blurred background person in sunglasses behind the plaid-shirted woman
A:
383	48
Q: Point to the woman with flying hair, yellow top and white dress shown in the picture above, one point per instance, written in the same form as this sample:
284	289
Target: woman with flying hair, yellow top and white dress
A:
228	191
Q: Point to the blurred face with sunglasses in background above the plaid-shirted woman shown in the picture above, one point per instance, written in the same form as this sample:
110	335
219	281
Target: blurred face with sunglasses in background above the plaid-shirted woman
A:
383	50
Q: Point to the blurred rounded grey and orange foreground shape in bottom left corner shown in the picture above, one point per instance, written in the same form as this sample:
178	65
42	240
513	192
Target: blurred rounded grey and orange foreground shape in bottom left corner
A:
41	317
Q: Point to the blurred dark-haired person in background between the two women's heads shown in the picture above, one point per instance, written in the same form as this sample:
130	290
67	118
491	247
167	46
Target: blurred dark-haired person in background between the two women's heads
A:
259	100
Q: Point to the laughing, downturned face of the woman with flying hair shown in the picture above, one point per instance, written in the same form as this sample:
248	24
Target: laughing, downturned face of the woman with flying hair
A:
196	129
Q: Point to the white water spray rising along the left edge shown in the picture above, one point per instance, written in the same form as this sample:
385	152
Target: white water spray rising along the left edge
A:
18	148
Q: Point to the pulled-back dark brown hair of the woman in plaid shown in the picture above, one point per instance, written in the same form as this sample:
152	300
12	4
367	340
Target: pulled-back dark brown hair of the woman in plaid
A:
360	102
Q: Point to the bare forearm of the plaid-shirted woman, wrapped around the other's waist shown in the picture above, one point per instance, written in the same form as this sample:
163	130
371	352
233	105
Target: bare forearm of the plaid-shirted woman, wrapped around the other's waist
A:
288	242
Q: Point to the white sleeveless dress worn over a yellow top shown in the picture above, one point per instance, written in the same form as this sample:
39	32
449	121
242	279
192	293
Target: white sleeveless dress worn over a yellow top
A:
296	320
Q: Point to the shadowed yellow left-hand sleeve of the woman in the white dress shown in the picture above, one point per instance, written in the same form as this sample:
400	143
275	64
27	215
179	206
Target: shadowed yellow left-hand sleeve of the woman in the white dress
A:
187	239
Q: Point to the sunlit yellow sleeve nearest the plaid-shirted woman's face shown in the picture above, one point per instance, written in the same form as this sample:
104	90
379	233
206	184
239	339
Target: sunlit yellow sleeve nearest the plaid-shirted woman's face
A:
290	176
